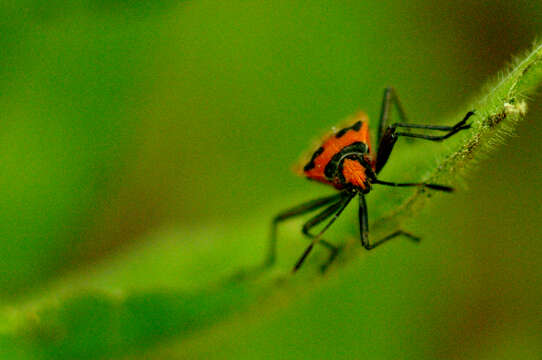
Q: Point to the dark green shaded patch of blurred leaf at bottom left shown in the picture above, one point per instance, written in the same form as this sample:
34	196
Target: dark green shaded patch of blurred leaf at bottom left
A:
95	325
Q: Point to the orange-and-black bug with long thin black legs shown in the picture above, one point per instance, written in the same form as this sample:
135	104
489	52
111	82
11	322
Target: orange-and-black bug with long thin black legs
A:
346	161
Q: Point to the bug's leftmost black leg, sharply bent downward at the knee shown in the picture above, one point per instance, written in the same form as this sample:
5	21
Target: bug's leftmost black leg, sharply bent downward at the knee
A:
290	213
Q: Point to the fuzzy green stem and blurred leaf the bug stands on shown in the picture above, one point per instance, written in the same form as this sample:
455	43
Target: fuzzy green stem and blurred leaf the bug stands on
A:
162	290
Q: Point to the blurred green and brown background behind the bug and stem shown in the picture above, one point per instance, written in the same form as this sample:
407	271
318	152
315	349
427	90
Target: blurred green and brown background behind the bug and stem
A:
123	119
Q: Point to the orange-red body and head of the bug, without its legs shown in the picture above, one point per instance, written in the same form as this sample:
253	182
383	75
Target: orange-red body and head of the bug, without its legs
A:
356	133
